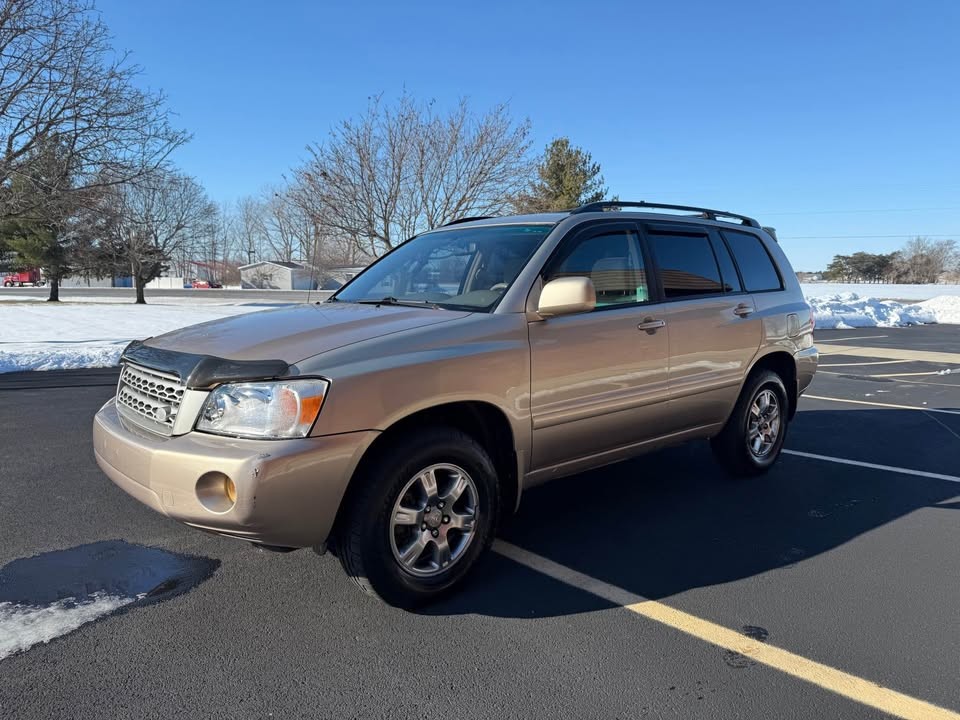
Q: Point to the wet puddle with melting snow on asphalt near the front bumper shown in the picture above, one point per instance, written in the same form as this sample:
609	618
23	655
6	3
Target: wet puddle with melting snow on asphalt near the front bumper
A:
52	594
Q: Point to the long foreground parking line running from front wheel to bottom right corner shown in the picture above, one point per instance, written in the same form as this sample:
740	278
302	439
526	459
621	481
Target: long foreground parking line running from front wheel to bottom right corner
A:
865	692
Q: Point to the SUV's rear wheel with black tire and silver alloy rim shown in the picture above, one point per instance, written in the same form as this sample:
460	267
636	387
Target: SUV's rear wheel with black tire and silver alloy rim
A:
736	446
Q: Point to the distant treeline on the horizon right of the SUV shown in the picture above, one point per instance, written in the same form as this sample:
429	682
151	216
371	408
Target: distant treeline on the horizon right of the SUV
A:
921	260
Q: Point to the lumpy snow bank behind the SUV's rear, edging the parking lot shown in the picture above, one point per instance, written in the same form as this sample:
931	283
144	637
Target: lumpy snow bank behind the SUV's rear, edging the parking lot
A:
849	310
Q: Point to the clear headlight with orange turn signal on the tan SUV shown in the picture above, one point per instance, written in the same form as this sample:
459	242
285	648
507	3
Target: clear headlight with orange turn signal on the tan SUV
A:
280	409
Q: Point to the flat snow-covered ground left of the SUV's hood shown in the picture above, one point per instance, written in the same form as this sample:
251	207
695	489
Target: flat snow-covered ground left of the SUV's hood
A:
48	336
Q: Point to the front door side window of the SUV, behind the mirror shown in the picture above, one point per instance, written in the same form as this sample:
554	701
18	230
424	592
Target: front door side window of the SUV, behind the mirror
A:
612	260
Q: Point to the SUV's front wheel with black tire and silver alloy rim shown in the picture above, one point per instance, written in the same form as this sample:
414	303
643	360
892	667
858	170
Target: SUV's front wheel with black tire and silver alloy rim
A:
371	544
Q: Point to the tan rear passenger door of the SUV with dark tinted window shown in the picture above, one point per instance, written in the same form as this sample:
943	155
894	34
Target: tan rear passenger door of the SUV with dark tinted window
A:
714	329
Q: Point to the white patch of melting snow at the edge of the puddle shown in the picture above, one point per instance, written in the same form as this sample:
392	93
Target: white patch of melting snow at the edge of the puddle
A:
22	626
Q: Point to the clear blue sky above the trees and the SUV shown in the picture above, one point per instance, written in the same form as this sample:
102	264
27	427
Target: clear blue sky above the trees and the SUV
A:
822	119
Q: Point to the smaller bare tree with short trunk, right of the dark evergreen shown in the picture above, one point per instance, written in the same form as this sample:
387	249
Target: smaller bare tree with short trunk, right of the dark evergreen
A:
160	217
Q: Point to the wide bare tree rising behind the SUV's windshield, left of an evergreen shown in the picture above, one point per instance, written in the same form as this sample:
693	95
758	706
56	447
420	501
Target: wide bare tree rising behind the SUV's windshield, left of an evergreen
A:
399	170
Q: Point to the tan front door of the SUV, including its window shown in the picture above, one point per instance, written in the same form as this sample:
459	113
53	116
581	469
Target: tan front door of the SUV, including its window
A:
598	380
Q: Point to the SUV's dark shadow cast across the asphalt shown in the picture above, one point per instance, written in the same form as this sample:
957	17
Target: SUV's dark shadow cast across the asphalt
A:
672	521
